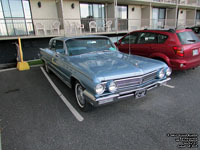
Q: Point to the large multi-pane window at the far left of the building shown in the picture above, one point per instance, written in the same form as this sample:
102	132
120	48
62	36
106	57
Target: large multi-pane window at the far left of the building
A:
15	17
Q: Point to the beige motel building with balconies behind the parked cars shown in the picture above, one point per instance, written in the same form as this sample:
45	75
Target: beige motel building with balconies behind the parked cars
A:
36	21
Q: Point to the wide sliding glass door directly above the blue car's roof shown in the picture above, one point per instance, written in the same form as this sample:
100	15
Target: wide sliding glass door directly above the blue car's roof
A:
92	12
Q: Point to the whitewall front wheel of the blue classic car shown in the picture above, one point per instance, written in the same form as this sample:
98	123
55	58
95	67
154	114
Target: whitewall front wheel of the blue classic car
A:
82	103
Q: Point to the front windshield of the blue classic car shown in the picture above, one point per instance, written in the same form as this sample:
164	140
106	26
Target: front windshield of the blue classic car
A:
88	45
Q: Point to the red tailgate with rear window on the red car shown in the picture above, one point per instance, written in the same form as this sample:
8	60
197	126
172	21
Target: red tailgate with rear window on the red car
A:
190	44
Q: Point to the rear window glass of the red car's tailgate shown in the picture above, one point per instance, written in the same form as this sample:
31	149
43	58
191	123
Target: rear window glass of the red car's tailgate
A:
188	37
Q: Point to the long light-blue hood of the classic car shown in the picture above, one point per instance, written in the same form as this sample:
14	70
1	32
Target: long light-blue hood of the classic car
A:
103	66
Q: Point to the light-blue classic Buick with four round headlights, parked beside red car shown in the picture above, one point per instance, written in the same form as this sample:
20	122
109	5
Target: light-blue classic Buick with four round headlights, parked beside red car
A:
99	73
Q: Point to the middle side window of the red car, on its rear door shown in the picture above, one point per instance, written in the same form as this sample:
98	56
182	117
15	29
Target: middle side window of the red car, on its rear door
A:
148	38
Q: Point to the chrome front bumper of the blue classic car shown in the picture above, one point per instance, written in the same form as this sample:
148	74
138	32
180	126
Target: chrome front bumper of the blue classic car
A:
115	97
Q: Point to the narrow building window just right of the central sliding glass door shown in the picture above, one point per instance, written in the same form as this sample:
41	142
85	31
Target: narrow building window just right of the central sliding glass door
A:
122	15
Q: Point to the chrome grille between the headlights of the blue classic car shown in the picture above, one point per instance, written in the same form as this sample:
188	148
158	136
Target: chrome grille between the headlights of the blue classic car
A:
135	81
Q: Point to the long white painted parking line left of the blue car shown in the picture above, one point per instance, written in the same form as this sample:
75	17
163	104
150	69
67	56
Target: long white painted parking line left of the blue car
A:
71	108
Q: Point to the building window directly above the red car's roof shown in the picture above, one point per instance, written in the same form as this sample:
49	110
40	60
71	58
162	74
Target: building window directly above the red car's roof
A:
158	17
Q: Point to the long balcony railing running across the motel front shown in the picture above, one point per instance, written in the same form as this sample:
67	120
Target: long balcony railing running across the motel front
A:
73	27
